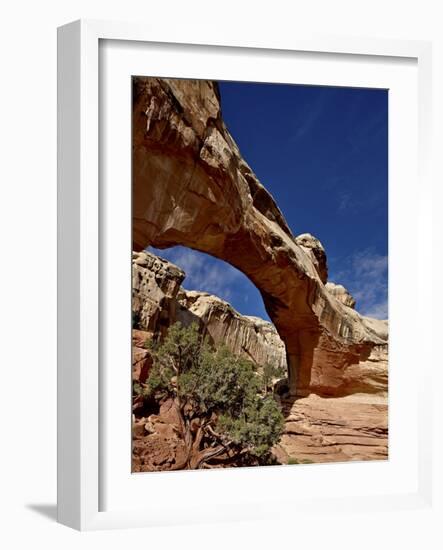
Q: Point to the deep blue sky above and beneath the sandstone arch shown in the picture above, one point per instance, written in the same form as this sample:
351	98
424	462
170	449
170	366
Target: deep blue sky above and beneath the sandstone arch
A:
322	152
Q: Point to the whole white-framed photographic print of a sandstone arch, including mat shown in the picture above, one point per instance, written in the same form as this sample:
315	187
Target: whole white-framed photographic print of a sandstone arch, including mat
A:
231	234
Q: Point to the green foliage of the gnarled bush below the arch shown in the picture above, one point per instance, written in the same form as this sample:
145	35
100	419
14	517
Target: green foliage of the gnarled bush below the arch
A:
220	389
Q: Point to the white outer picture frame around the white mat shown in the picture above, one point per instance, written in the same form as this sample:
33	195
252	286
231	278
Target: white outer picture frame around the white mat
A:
80	413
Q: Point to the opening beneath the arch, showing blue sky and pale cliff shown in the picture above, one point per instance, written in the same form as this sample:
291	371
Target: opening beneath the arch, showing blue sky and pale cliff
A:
179	285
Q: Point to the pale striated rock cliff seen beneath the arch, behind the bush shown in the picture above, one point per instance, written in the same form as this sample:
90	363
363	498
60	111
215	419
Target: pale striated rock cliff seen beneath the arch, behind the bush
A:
158	301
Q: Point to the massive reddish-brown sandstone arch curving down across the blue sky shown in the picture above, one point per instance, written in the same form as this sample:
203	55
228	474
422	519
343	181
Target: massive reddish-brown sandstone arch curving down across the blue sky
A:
192	187
